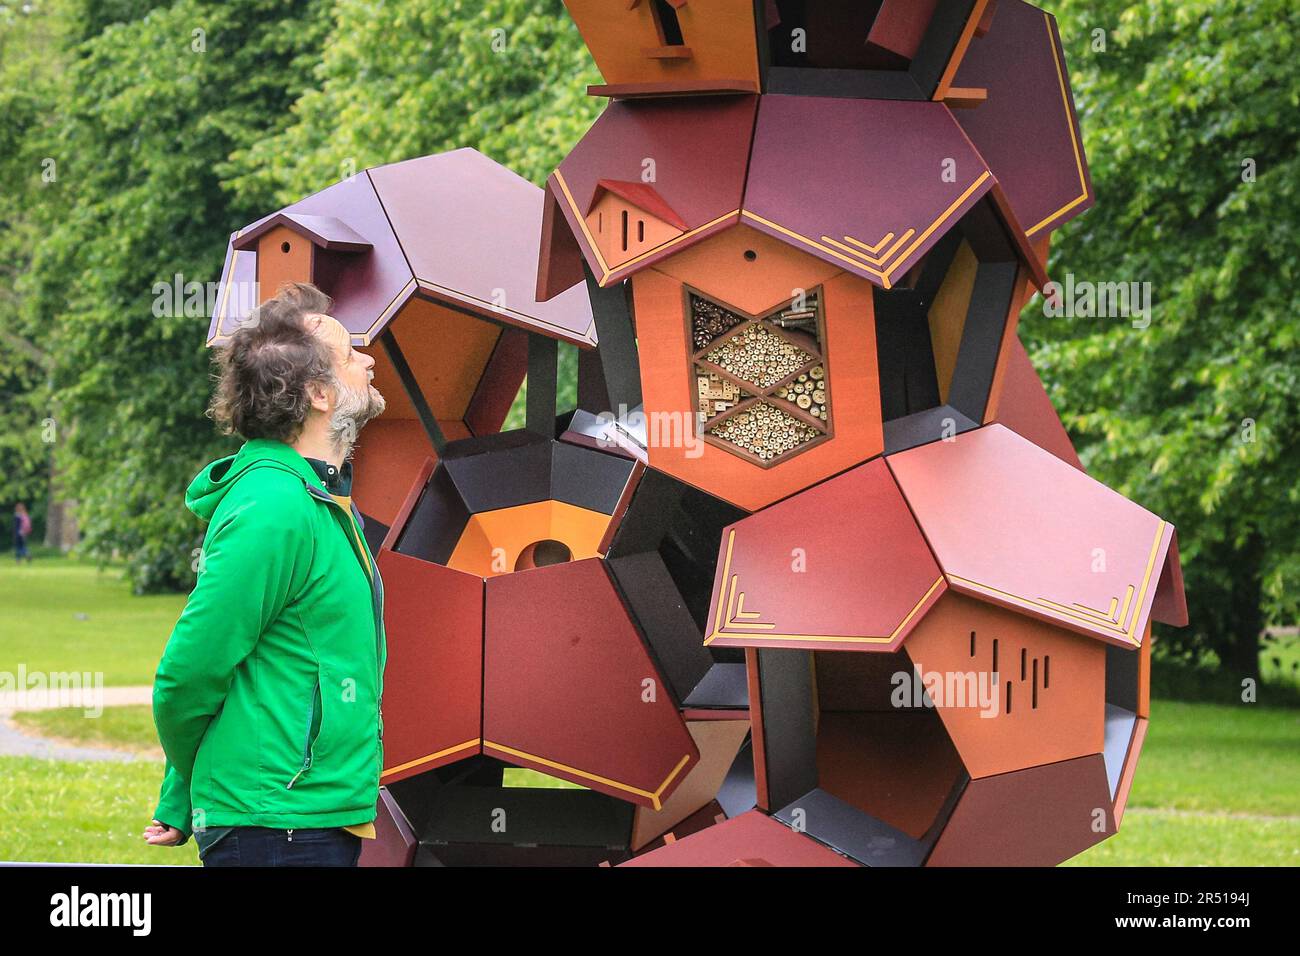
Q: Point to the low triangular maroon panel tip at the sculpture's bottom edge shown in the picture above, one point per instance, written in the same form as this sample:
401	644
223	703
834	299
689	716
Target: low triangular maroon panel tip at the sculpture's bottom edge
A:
751	840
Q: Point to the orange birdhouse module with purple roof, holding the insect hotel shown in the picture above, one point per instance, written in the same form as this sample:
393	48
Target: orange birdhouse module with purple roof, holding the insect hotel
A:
785	335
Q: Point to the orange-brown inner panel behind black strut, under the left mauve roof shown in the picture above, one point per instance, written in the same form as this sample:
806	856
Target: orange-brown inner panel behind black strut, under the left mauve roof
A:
448	353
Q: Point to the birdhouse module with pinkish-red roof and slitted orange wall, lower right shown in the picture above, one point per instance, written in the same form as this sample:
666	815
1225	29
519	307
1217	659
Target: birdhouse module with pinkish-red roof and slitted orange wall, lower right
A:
931	665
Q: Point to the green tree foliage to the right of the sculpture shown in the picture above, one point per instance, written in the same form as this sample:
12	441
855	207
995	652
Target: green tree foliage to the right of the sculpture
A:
1190	122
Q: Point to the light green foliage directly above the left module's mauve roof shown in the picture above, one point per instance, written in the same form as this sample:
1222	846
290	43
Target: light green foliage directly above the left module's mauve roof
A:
410	79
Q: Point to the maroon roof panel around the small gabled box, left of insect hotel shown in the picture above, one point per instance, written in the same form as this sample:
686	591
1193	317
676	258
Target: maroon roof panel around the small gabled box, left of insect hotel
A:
700	148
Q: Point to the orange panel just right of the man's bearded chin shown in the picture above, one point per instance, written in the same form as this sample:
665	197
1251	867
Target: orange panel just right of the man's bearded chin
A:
389	455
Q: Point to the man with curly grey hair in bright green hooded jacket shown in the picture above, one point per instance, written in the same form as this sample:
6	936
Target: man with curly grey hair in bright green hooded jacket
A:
268	699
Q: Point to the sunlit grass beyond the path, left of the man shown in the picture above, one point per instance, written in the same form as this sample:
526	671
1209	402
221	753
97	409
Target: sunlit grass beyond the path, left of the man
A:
64	616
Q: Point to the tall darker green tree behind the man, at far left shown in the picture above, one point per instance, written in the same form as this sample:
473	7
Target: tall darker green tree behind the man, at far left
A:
150	106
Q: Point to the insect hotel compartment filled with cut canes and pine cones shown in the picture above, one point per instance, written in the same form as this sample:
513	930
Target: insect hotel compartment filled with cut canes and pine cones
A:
761	382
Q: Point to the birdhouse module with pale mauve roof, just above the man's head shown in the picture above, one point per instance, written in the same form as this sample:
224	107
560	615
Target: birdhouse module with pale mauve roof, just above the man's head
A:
432	267
